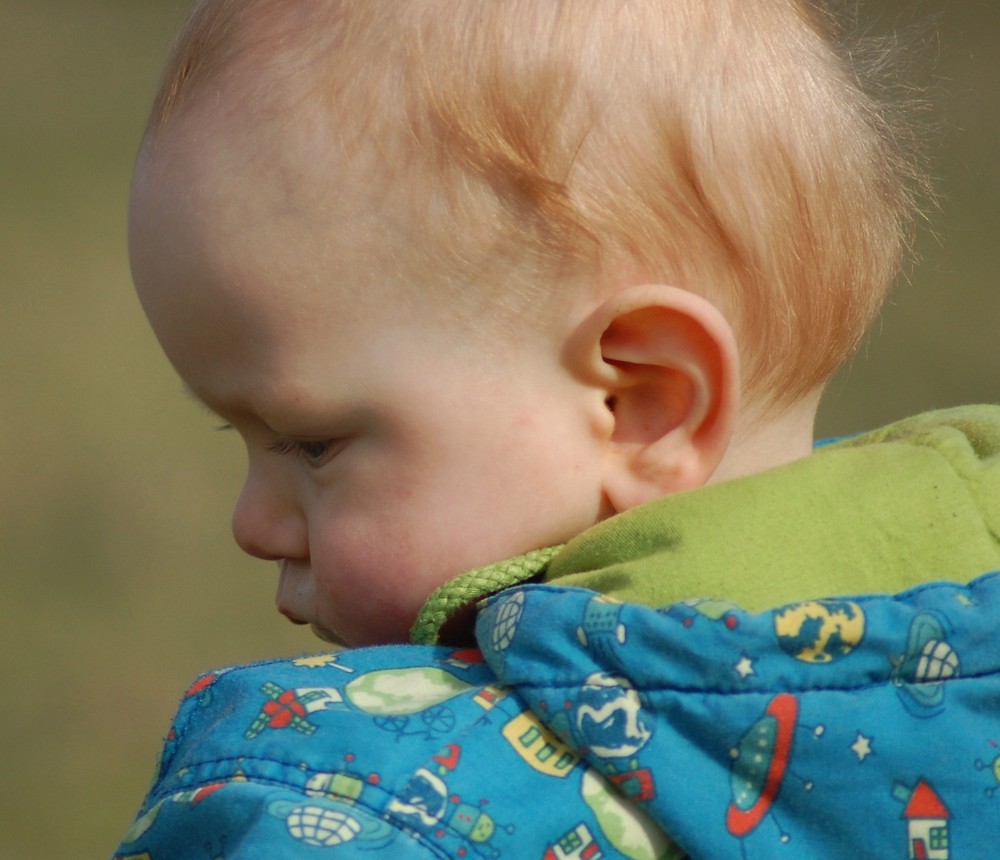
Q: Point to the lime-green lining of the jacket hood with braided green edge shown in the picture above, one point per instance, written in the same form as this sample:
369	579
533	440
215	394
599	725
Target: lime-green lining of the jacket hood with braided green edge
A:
878	513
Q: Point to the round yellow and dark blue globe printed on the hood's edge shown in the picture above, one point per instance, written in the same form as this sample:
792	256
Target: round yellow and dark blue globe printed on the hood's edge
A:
819	631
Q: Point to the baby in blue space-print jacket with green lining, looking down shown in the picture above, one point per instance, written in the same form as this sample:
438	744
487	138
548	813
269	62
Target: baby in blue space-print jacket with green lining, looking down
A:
475	280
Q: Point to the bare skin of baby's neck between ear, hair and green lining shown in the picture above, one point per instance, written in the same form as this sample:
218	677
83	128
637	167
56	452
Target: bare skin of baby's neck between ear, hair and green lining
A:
763	443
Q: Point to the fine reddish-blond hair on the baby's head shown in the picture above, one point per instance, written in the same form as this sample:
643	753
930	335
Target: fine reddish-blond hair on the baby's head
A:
727	147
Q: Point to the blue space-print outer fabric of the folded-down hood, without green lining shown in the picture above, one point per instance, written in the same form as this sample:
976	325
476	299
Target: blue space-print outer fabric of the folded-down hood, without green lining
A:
850	727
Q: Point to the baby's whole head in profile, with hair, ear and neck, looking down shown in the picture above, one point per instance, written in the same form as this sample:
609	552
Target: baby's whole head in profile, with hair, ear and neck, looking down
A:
471	277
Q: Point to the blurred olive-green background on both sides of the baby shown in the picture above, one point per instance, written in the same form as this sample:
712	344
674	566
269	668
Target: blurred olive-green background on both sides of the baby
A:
121	579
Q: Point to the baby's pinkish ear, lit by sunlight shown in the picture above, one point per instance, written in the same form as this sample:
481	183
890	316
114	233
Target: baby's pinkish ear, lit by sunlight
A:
667	362
